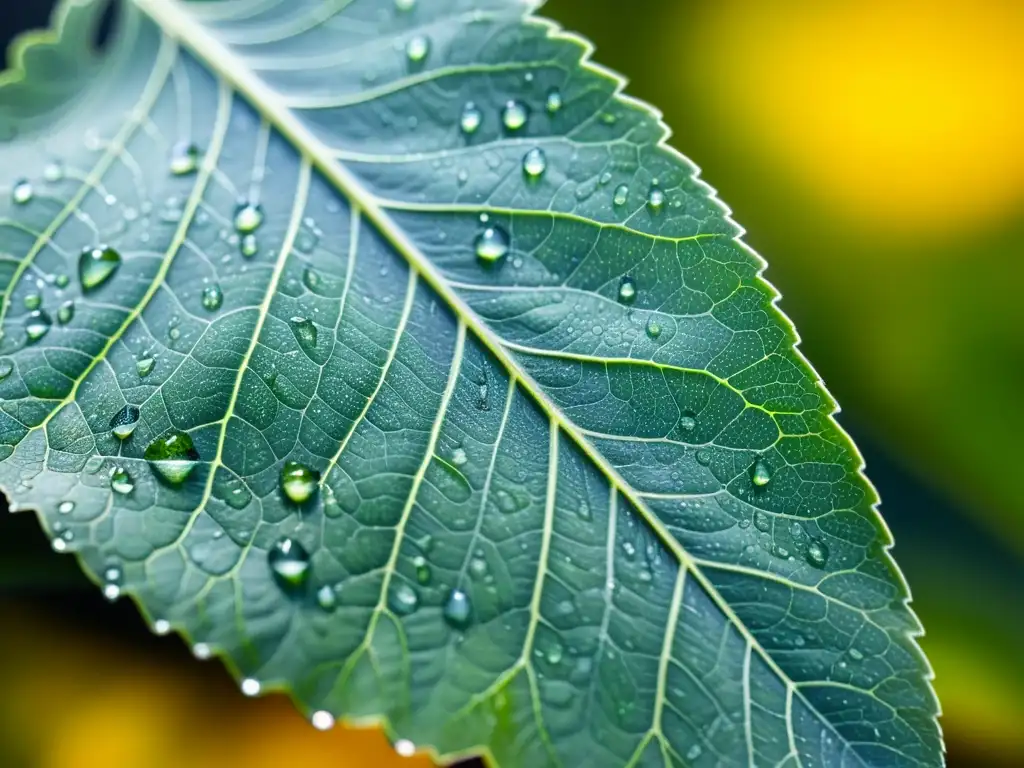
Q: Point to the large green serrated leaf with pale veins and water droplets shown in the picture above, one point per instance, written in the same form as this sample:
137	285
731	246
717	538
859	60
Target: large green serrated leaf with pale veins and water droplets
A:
385	351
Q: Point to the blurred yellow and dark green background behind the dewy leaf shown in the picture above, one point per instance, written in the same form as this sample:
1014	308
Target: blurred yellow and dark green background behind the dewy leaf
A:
875	151
